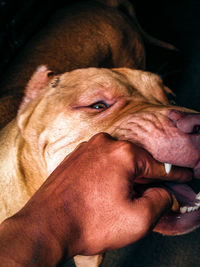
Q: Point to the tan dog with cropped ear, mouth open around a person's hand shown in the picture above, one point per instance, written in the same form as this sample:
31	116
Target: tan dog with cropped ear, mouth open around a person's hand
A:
57	113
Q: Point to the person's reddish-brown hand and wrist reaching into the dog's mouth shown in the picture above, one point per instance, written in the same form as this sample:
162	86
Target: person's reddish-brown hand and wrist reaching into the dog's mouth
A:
110	216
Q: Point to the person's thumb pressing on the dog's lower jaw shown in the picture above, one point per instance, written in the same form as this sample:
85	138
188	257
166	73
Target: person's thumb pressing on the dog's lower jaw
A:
141	216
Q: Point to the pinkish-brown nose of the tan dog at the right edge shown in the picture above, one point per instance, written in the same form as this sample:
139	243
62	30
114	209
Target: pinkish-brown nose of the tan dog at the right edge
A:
186	122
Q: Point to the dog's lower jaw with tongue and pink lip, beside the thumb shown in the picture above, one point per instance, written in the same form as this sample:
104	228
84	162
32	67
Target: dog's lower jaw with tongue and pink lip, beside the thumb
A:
187	217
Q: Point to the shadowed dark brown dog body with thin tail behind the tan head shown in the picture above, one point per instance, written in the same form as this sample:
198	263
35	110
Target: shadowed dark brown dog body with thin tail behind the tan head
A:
103	33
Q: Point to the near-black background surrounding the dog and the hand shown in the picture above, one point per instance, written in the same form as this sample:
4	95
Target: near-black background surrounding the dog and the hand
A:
174	21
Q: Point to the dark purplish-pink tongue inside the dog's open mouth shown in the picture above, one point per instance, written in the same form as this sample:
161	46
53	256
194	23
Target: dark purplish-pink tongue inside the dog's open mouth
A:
183	193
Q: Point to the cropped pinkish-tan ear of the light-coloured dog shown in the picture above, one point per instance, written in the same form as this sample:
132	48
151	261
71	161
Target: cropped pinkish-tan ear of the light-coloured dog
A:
37	82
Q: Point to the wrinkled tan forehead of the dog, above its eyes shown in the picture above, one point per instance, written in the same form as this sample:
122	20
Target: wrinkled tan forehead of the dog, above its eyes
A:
121	81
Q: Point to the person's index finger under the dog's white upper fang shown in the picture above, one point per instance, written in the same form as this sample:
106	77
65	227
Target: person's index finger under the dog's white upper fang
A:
144	167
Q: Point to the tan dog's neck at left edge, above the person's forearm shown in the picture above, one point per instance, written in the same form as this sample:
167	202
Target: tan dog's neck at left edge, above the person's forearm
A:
15	181
